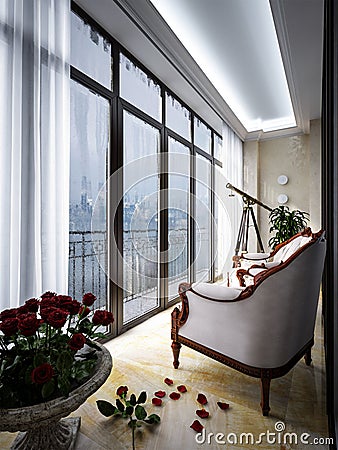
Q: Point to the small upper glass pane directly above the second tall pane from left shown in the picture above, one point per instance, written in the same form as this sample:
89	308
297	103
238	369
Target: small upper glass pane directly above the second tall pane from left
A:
139	89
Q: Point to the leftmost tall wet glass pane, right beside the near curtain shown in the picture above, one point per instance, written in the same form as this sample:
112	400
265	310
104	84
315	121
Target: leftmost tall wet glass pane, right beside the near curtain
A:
88	268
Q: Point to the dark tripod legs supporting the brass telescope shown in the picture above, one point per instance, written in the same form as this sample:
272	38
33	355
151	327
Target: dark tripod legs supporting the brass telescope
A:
243	232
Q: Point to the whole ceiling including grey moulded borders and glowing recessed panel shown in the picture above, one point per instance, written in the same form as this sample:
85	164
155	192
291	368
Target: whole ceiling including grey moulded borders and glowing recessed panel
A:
230	30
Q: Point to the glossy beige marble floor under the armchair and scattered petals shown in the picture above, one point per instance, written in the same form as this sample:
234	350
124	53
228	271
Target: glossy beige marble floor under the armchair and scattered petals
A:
142	359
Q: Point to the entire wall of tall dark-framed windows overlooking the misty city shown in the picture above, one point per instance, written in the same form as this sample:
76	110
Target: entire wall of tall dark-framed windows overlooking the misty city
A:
135	238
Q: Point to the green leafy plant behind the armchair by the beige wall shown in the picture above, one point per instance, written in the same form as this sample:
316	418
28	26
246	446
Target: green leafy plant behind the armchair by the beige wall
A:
285	224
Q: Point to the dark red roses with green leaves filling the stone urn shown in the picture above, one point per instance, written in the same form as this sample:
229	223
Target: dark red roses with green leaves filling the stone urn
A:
42	347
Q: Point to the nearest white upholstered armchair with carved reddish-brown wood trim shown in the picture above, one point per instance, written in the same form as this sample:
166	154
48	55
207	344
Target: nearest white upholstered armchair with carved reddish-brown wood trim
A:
261	330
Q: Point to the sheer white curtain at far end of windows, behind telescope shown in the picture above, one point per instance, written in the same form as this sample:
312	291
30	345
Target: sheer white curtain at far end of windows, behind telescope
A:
230	208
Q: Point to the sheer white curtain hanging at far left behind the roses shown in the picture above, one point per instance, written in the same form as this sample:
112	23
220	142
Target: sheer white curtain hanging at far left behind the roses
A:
34	148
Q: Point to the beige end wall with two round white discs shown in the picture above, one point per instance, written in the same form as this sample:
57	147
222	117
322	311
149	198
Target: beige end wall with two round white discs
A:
298	157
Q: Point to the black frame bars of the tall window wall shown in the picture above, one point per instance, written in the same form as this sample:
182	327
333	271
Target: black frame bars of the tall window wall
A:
115	225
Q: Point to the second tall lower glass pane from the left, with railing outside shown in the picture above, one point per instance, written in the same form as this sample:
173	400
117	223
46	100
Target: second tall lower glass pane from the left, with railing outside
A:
140	218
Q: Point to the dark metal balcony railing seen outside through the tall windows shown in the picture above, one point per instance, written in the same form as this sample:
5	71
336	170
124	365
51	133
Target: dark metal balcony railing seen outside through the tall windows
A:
88	267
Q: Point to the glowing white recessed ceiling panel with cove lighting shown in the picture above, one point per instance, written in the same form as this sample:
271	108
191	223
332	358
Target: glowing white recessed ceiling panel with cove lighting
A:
235	44
